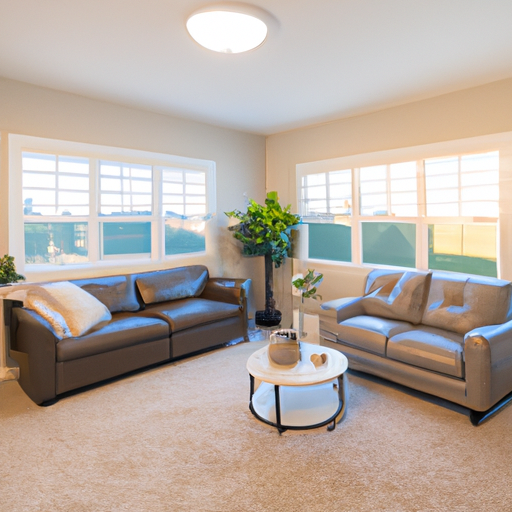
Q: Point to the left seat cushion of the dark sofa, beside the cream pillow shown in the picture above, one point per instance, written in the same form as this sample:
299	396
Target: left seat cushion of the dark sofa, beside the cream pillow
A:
124	330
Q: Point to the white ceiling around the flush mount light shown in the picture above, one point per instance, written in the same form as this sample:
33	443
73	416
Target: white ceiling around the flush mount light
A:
322	60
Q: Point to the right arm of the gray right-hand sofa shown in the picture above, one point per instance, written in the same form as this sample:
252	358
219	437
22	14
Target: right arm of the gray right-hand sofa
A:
488	361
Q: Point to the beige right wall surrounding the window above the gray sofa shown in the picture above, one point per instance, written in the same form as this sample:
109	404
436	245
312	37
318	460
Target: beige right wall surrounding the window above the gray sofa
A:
463	114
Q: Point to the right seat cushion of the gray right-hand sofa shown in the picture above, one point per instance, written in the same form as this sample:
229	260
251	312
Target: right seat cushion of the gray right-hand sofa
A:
430	348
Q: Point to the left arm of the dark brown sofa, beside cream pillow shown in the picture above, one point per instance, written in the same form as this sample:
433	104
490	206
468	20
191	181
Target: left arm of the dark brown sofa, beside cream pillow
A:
33	347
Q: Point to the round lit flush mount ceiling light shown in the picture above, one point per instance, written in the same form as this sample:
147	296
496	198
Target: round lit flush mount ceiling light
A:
229	28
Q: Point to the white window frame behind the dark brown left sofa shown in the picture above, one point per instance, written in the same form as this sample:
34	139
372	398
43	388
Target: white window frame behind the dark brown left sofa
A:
17	144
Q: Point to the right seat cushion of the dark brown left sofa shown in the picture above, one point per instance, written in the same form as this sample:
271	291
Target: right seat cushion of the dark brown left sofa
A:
192	312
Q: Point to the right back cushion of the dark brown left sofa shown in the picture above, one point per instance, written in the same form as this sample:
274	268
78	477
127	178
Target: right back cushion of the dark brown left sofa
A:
176	283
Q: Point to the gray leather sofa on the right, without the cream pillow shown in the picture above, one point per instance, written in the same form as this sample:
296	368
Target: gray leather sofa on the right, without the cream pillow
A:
449	335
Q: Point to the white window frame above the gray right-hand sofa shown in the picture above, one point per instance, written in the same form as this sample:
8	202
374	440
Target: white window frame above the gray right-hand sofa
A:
499	142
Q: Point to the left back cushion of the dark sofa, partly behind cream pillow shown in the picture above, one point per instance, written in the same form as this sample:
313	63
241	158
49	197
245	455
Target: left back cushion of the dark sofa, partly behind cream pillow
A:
116	292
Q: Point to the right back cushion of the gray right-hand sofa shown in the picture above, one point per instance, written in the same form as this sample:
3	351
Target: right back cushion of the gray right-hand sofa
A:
461	303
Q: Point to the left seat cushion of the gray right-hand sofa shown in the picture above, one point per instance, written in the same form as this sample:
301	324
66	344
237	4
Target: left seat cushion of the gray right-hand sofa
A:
370	332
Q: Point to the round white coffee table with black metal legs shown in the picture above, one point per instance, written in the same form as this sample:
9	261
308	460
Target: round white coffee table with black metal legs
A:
302	397
